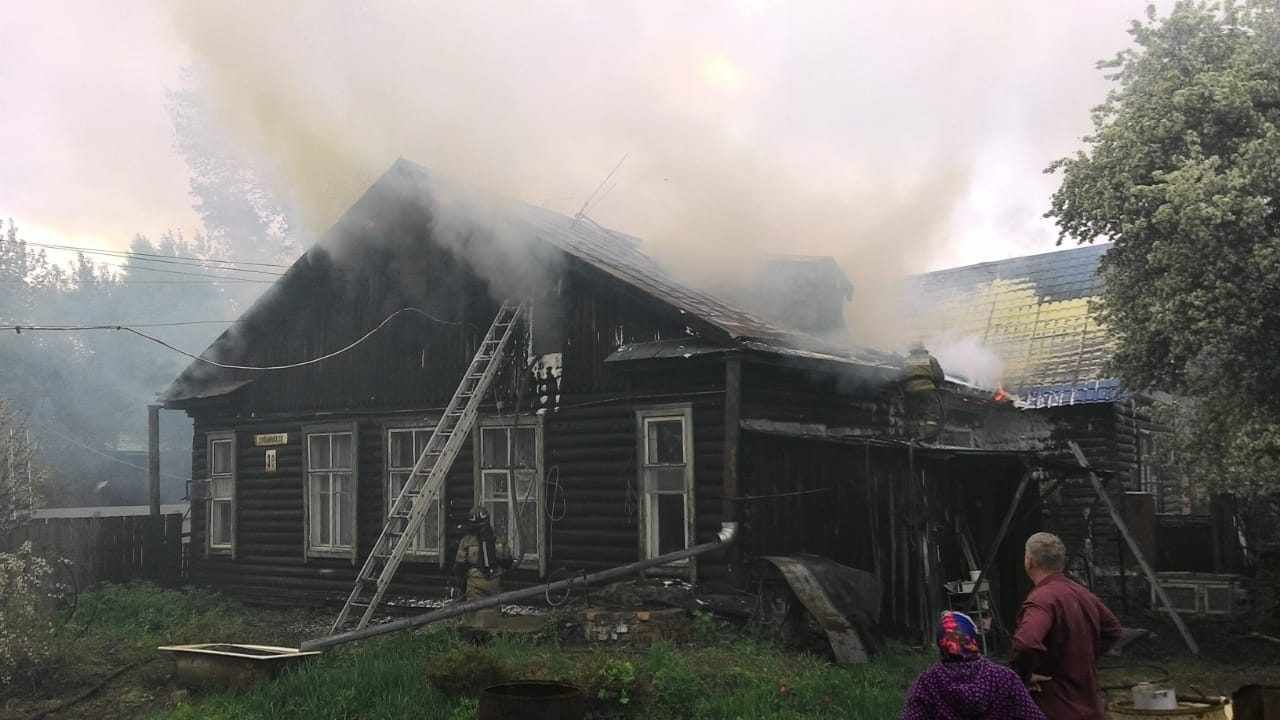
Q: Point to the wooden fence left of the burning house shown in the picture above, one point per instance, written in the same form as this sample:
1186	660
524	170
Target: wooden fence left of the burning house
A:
112	549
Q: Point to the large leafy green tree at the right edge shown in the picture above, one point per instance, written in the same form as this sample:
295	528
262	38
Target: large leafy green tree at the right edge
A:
1183	175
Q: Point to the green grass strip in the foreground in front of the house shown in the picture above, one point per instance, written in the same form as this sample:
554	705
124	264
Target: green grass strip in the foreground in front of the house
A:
436	676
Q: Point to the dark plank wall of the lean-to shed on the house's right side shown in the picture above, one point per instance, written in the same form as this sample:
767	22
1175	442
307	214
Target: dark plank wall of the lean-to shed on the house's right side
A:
863	507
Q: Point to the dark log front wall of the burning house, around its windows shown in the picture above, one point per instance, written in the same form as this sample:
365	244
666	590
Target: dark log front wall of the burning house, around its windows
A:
591	473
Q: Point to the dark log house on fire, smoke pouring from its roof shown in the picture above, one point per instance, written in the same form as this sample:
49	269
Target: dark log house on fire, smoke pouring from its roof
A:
632	417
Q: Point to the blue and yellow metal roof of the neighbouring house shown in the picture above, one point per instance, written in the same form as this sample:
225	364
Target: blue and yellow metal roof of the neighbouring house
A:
1034	313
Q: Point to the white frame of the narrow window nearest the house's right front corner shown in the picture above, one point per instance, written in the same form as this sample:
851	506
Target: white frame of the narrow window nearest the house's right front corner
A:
648	480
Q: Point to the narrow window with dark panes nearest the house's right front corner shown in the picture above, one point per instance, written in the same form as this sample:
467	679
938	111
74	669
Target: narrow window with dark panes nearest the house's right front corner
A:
666	480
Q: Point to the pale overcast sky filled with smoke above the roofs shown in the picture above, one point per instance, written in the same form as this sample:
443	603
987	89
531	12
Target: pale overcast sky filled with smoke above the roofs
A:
908	134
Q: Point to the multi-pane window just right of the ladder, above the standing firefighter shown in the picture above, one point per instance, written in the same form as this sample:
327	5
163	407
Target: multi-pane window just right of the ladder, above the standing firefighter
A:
509	485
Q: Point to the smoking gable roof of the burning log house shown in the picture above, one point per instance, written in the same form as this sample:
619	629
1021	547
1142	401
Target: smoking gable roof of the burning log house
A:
615	254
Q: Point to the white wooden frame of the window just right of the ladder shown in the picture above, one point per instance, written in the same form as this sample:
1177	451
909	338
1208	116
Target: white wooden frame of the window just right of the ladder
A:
534	557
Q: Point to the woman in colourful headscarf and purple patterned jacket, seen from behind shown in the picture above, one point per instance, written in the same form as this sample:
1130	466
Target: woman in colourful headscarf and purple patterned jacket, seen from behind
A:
964	685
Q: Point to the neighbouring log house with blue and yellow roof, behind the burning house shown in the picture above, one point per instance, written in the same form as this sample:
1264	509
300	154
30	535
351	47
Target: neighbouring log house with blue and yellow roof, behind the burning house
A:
1034	315
